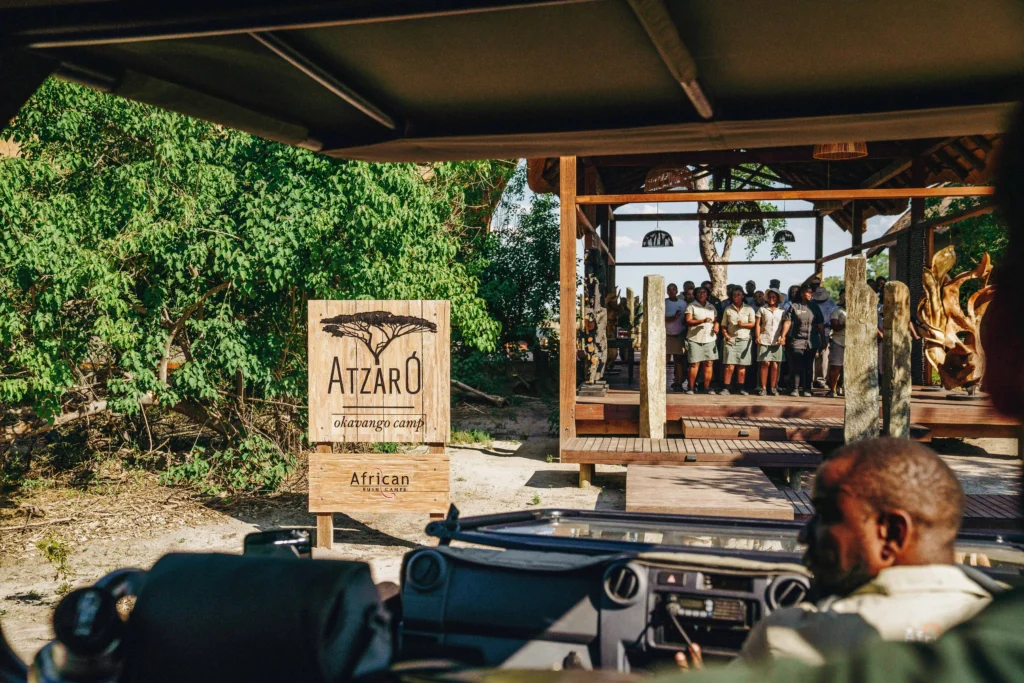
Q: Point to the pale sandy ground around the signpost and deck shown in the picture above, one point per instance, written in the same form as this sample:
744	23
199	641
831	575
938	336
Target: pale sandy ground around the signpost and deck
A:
136	528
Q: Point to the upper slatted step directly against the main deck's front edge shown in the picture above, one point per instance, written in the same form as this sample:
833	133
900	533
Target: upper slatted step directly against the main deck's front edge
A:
777	430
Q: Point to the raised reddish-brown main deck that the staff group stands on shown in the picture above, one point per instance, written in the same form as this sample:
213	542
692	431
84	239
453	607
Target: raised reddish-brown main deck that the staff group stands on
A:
619	413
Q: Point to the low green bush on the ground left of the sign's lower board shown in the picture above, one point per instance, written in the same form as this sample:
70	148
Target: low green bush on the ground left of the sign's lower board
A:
255	465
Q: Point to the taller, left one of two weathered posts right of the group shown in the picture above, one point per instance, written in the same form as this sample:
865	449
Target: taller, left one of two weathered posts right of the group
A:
861	367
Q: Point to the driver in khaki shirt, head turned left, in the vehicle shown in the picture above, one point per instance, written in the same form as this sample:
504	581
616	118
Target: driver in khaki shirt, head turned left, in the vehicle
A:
881	548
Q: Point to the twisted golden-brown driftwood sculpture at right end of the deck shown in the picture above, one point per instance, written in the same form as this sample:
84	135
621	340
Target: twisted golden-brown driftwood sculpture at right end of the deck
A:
951	336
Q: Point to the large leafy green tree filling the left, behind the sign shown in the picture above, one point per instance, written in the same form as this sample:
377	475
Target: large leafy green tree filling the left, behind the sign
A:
150	259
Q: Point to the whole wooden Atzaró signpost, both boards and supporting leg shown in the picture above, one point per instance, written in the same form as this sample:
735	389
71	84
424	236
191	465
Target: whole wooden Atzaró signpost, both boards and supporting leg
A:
379	371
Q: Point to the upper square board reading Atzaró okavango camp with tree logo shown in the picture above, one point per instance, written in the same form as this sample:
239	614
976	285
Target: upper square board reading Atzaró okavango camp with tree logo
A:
379	371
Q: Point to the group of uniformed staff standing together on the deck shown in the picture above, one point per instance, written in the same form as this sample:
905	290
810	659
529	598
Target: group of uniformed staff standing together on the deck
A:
801	336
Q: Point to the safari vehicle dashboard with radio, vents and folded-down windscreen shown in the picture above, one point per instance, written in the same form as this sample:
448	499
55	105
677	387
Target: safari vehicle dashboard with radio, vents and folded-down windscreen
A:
564	589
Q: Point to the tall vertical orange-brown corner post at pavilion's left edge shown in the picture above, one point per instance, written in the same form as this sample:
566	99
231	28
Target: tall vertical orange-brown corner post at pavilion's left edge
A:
567	306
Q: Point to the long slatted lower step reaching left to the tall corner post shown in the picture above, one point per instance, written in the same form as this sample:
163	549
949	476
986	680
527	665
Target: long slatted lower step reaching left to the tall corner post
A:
696	452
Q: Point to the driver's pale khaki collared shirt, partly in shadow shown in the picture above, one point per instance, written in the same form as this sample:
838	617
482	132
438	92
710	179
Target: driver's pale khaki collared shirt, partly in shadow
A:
905	604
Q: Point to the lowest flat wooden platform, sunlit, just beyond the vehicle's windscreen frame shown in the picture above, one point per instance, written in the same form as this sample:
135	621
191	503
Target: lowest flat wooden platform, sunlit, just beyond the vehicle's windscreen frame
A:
719	492
